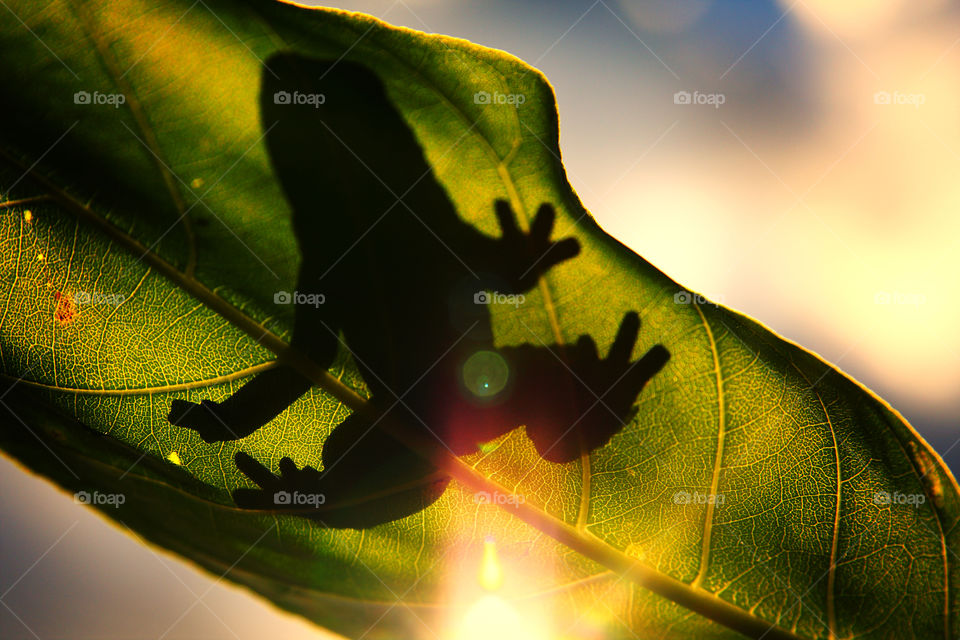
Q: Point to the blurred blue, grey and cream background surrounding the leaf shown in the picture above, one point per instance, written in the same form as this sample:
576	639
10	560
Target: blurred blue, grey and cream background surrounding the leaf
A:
794	160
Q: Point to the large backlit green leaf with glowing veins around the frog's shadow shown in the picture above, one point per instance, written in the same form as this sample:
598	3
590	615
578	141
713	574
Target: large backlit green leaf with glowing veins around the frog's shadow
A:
170	201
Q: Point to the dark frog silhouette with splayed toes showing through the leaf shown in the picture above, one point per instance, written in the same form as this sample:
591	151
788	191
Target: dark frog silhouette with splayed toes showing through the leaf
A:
391	273
